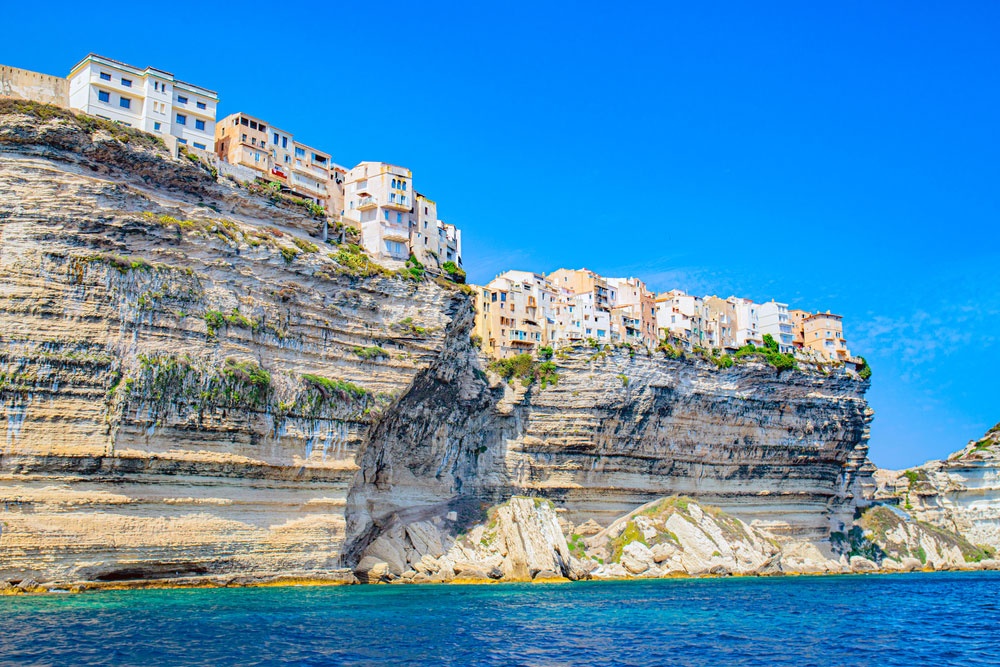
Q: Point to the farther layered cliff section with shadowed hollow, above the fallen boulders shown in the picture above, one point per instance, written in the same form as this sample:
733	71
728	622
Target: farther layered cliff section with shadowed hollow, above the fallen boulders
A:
619	430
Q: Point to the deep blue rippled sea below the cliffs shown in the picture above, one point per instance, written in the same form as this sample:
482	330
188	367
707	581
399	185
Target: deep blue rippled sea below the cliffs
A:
919	619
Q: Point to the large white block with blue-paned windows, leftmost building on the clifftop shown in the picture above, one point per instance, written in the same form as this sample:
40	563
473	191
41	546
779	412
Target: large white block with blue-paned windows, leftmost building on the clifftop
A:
147	99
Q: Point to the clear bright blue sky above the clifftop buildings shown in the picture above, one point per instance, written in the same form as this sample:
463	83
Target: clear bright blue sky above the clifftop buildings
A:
837	156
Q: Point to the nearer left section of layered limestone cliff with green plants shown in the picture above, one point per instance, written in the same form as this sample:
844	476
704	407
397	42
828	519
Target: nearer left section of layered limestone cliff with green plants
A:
185	377
